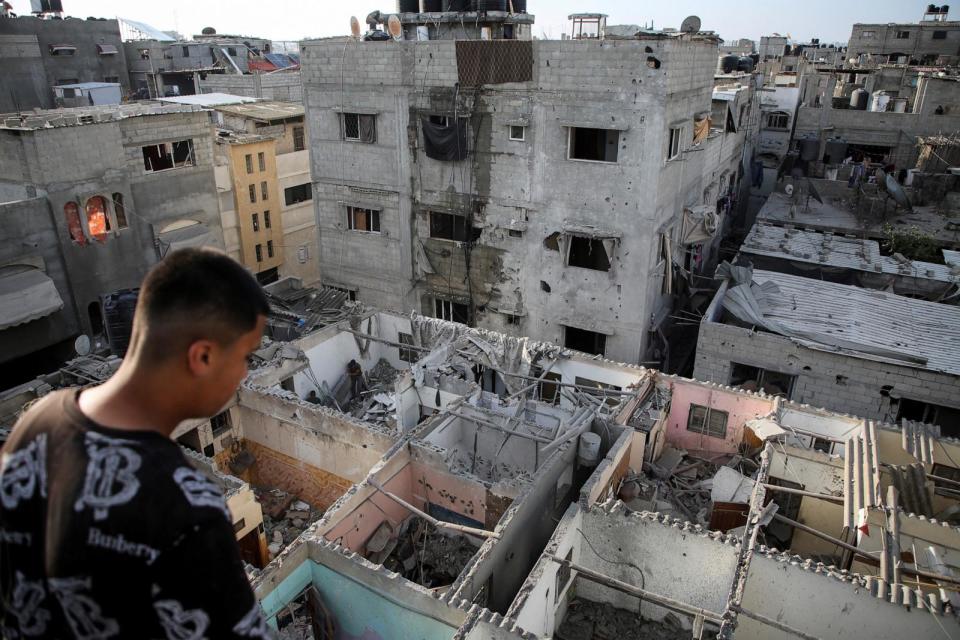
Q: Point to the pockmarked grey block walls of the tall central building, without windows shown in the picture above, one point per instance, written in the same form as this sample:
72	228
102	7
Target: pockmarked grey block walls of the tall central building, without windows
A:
595	84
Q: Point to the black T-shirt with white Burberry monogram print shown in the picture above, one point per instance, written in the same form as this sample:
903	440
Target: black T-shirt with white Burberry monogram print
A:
107	533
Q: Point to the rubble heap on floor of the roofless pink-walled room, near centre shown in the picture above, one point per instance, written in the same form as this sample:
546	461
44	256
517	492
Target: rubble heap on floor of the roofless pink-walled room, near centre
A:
420	552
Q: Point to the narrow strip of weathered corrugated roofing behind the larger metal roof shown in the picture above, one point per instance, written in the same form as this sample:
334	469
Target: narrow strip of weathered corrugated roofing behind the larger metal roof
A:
838	251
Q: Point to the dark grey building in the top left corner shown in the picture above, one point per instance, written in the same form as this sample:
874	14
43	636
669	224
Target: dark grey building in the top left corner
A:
37	54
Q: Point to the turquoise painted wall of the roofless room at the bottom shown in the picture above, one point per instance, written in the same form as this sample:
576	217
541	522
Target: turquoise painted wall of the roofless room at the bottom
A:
360	612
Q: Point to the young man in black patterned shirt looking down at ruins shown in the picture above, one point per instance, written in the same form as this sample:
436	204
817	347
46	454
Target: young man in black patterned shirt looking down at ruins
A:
106	530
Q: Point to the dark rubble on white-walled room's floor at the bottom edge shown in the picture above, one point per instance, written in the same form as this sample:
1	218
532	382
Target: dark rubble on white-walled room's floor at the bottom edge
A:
587	620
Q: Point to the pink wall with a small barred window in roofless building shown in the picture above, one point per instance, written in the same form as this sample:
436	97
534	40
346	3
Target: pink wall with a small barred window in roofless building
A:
740	407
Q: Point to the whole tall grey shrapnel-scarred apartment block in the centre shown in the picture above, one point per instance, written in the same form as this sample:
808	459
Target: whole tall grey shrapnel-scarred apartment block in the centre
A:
533	187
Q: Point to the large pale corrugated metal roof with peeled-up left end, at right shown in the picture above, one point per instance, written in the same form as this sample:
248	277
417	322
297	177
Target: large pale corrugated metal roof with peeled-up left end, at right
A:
858	322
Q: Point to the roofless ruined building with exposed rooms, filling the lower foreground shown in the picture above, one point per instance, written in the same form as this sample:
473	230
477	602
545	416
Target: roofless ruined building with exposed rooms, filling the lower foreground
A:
470	484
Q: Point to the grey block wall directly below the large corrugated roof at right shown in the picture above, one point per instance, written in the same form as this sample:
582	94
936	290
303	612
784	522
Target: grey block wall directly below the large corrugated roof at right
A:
834	381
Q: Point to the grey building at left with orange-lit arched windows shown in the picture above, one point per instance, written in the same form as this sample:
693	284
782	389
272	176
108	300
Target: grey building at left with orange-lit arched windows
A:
91	198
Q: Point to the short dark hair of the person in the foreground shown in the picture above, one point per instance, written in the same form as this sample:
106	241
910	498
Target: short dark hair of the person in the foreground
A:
194	294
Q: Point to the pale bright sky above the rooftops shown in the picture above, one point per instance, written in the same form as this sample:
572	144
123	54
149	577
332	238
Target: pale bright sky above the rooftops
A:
829	20
